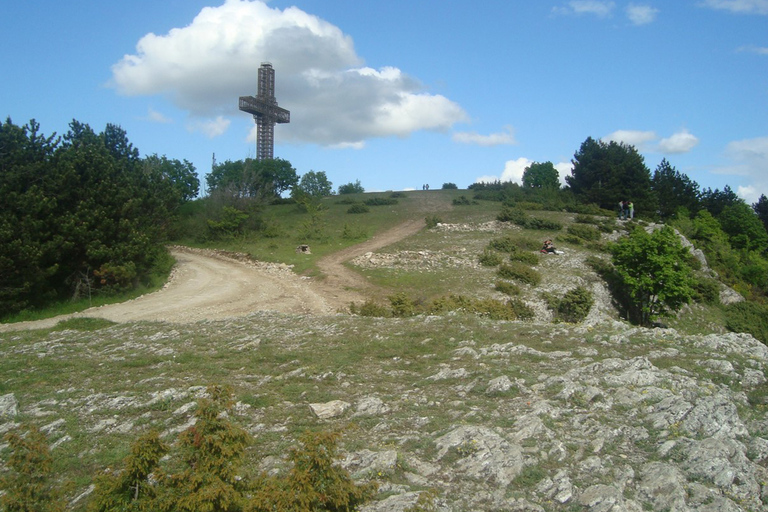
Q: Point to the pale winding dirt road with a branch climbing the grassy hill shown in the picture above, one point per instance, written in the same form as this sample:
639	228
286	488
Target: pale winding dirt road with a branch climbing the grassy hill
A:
210	285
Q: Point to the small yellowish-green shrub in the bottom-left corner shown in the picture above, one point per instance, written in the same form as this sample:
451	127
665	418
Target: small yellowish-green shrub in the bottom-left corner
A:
27	485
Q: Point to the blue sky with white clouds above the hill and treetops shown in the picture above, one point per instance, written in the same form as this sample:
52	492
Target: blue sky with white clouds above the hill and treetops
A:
397	94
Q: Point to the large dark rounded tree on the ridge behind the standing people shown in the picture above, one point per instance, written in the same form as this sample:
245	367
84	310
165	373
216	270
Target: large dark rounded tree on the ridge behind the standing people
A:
605	173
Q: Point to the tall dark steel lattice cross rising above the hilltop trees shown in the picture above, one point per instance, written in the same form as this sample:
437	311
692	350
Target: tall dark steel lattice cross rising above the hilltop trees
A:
265	112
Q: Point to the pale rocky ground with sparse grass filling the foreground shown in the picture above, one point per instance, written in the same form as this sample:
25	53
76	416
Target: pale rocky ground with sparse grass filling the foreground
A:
495	416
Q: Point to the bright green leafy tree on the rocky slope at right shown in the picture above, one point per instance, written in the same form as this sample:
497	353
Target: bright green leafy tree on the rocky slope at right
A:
654	272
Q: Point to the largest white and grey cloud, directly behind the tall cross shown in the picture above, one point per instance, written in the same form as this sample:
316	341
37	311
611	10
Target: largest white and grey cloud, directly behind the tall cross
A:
334	100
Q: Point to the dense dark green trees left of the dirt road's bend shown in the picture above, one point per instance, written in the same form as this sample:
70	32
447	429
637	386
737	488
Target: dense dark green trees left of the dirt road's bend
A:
82	212
